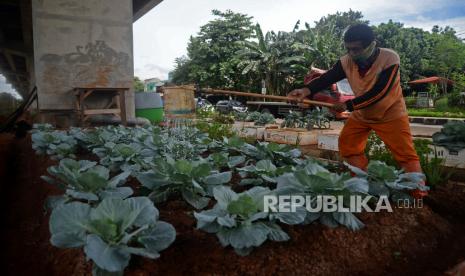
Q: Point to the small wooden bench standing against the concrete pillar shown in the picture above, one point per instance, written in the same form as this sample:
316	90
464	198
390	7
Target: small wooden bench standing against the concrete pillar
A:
117	106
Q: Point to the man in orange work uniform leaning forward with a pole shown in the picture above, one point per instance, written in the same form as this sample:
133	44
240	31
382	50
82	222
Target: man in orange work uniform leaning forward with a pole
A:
373	74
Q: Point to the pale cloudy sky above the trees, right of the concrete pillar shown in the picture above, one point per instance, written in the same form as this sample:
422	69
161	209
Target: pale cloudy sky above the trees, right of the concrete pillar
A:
162	34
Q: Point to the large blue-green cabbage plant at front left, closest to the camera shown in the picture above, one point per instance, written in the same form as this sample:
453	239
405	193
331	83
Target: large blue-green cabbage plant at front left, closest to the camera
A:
111	232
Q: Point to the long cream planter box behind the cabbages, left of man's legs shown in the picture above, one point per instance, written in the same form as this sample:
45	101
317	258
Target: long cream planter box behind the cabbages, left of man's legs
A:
292	136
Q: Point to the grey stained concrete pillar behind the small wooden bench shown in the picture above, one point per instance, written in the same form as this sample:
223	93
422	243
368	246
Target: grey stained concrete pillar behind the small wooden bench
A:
81	43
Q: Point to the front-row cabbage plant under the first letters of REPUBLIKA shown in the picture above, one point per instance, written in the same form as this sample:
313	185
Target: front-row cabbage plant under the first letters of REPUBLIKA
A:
239	220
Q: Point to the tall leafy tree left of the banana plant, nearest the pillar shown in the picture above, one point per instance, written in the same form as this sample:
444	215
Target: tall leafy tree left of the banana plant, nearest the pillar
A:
211	54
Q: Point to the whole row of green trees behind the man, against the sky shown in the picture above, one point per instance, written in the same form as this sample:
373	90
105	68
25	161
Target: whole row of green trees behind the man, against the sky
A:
230	52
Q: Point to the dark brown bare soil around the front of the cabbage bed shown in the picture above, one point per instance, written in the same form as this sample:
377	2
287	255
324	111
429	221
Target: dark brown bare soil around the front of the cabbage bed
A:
425	241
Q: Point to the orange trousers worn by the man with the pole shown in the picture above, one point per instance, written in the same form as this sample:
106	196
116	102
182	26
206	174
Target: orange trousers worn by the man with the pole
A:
395	134
